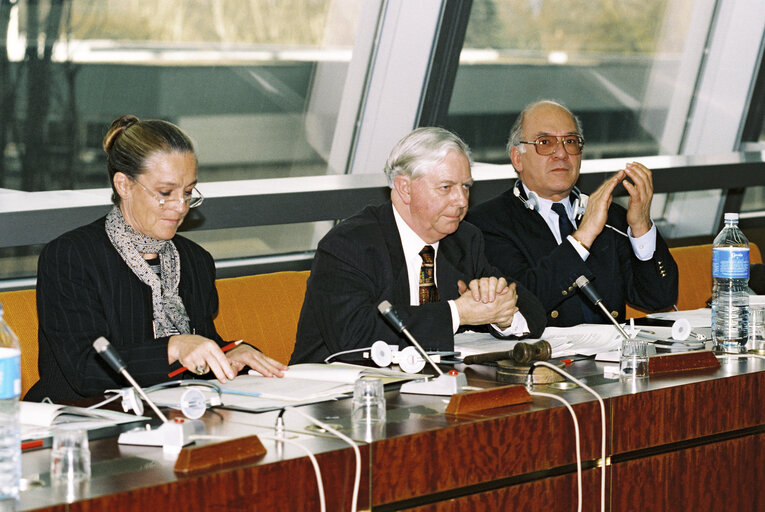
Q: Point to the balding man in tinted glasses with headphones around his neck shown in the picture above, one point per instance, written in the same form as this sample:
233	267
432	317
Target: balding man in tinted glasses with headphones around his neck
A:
549	233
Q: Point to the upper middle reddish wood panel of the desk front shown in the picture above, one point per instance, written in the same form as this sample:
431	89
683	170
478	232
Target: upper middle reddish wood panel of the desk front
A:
516	440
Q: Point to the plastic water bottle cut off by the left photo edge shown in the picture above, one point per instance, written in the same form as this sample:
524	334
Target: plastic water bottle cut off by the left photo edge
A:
10	389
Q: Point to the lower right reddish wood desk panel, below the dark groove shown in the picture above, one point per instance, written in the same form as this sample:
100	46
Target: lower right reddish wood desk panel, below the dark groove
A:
718	477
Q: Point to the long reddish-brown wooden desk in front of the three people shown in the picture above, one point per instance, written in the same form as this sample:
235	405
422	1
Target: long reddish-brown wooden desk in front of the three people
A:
694	441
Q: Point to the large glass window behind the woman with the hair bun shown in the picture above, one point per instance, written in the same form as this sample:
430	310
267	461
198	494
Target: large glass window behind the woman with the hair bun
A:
256	84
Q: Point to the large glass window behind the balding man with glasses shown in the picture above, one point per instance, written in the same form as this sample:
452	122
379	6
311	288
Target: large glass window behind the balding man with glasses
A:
617	65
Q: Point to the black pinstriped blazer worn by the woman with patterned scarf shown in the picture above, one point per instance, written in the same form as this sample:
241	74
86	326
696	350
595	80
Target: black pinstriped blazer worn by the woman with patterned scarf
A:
85	290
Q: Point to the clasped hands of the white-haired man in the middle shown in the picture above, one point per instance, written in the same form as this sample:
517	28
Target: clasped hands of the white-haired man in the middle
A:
488	300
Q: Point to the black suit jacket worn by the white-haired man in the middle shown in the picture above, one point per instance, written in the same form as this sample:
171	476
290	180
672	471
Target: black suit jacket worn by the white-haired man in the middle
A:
360	263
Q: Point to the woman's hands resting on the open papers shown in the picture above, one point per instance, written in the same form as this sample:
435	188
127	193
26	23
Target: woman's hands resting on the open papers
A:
202	355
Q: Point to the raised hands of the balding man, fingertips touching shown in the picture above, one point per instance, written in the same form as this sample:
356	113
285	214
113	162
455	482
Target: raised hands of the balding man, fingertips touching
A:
640	189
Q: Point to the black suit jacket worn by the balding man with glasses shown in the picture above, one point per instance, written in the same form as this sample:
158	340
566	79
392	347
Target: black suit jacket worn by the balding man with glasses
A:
520	243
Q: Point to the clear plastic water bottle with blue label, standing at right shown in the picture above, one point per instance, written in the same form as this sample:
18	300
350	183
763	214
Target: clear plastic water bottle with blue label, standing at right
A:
730	295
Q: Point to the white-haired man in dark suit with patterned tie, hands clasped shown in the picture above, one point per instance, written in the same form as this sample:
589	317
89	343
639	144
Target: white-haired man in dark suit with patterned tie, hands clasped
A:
415	253
